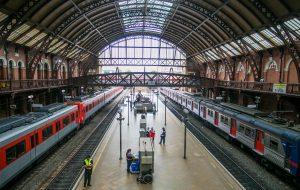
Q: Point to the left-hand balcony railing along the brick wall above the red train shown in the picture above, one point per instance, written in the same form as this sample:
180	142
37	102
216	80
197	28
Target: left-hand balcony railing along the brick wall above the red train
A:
15	85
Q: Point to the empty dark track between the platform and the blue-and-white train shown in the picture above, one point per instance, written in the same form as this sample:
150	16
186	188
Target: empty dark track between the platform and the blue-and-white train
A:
238	172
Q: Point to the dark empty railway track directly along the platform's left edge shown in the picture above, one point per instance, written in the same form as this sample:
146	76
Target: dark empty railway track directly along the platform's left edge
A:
69	172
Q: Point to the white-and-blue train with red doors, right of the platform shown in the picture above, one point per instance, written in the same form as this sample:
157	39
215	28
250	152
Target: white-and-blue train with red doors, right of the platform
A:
270	139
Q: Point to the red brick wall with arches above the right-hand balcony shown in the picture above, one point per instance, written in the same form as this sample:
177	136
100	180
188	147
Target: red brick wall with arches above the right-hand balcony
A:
275	67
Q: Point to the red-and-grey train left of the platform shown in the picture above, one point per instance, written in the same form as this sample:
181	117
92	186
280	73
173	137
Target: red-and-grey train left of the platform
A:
25	138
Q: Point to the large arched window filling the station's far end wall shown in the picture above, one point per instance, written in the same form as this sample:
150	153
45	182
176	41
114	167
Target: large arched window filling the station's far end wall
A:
136	52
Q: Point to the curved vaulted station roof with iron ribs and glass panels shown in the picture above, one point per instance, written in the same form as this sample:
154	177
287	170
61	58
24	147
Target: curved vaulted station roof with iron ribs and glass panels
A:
206	30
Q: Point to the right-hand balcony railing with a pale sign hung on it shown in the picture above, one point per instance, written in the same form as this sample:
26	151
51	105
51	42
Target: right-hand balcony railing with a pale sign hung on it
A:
261	86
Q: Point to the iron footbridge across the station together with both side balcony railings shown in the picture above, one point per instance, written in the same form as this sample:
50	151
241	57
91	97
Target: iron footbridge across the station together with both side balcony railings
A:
155	79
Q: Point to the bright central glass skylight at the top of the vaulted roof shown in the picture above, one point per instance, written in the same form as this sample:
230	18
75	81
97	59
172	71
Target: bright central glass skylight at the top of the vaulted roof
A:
145	15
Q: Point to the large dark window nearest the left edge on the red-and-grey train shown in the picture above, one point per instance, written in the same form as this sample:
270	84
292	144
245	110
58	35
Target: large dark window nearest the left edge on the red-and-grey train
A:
15	152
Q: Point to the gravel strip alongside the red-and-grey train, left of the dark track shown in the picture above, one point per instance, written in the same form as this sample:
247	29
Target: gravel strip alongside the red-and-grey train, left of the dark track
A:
40	174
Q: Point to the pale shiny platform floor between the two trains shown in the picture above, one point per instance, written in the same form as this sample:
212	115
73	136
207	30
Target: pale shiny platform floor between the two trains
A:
199	171
